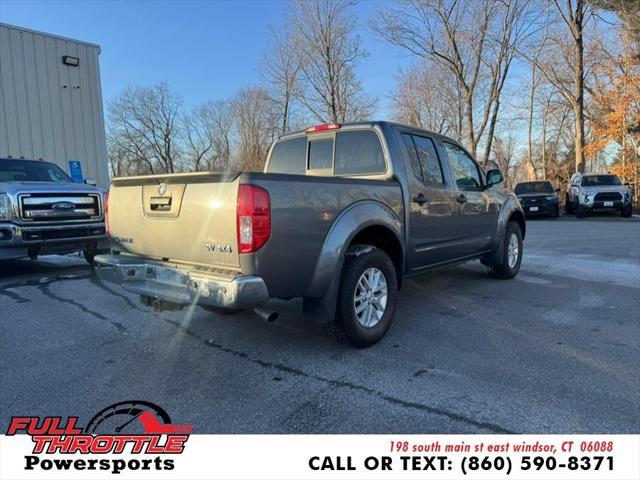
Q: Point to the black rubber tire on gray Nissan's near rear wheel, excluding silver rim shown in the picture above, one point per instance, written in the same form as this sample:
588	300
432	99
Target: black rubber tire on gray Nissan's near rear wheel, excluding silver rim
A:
359	259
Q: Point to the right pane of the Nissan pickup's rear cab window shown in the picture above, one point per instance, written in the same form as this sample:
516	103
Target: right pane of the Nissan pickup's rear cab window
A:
359	153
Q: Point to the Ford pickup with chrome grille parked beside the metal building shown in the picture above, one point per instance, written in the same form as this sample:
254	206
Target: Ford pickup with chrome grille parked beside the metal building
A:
43	212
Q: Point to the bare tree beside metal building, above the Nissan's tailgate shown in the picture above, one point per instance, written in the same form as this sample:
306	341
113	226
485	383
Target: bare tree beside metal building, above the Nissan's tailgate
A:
143	127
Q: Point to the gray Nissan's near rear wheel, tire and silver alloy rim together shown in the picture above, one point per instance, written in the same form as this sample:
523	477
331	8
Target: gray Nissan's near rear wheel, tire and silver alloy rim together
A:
367	296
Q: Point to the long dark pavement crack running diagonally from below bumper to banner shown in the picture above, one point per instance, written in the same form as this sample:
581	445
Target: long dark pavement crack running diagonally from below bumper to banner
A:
344	384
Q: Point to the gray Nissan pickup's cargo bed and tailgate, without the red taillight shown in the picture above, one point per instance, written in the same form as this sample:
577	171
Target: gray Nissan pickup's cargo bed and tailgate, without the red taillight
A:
189	221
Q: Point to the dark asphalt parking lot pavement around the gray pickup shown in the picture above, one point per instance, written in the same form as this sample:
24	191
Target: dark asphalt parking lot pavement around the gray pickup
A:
555	350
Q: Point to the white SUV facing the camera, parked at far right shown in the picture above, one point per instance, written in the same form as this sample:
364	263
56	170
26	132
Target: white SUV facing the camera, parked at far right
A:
591	191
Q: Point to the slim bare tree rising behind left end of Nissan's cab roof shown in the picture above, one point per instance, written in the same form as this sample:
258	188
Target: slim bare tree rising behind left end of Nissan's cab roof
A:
280	67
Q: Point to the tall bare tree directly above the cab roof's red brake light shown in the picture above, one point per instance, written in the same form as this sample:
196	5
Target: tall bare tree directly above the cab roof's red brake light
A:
328	52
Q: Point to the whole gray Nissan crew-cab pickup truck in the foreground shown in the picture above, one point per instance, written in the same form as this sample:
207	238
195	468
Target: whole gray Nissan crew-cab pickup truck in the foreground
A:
340	215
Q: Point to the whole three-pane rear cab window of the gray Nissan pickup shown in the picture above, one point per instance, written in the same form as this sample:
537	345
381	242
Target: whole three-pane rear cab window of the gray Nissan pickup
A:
340	153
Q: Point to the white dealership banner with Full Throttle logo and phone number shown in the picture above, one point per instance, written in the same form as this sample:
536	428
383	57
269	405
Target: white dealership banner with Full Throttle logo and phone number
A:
177	454
